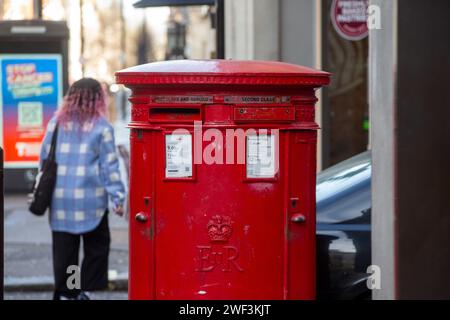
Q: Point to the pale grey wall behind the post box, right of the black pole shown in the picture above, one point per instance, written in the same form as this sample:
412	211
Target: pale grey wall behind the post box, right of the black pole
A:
282	30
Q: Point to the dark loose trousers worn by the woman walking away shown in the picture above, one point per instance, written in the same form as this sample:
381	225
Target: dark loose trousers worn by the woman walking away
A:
94	268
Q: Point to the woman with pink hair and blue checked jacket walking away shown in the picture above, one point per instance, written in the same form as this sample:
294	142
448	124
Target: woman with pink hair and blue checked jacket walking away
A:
88	174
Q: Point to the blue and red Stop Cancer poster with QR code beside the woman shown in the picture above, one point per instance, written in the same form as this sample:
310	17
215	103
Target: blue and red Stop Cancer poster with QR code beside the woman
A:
30	92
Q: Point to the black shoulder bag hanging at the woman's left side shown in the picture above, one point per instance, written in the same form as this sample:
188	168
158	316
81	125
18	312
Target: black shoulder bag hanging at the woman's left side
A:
41	196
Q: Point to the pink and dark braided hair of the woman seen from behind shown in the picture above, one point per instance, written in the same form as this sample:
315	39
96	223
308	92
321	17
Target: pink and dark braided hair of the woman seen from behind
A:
84	102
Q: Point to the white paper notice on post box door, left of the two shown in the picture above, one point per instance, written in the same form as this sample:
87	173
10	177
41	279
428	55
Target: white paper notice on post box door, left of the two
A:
178	156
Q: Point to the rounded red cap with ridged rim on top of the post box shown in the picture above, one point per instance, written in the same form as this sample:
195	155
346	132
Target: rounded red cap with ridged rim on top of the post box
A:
221	72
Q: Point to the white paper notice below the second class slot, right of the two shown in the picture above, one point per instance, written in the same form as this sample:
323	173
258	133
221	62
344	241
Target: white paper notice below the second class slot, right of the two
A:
260	160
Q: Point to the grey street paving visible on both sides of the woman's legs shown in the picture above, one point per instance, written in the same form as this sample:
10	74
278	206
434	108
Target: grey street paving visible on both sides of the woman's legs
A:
27	247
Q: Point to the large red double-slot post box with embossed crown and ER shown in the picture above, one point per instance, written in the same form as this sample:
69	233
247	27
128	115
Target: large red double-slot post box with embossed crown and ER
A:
222	179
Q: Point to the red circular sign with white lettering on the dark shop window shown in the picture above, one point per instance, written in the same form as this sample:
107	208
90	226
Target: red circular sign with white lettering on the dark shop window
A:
349	18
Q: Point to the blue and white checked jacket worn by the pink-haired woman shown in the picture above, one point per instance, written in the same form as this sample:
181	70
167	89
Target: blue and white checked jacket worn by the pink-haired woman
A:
88	172
